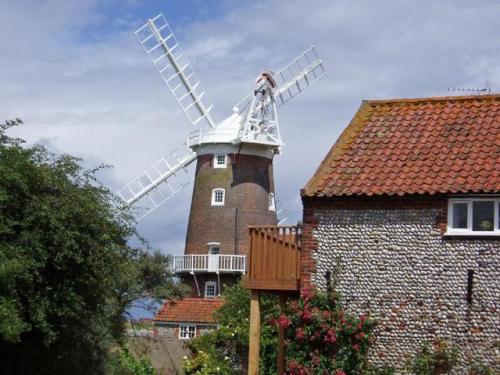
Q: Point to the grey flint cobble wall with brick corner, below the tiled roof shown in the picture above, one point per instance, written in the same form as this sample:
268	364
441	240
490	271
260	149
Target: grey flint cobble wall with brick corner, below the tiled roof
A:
398	266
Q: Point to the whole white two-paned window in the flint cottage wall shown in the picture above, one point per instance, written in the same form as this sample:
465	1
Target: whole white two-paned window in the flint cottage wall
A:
474	216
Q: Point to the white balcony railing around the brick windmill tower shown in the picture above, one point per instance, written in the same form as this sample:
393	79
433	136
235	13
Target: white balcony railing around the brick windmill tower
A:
209	263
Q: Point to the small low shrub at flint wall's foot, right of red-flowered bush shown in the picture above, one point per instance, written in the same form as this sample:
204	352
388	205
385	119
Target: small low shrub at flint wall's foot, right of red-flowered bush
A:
440	359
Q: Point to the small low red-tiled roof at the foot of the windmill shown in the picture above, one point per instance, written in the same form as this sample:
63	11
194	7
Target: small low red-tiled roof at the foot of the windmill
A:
192	310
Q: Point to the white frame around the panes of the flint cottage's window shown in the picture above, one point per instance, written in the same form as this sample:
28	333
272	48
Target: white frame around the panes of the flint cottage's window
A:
468	231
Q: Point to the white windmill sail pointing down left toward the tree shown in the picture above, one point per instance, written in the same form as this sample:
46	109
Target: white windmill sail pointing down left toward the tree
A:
158	183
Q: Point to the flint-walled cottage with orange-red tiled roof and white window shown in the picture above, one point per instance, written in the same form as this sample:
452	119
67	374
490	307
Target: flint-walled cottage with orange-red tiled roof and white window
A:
408	202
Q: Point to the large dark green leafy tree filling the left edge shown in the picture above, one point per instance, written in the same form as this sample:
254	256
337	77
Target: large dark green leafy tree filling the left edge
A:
66	271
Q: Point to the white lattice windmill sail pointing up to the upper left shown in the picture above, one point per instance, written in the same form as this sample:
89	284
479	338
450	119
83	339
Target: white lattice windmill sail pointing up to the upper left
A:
162	47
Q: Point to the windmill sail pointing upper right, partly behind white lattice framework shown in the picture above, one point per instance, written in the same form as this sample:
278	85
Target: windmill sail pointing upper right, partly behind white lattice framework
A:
294	78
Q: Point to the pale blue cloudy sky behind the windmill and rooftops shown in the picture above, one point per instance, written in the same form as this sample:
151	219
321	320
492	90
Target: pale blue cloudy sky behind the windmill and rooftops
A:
75	73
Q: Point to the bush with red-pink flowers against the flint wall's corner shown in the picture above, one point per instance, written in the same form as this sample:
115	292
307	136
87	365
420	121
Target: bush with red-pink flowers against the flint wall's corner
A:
321	338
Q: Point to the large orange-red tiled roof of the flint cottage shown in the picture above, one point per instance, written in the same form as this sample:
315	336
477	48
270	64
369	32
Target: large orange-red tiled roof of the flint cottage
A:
415	146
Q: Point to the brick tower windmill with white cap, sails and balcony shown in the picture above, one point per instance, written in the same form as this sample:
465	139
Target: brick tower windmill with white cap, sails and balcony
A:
233	182
